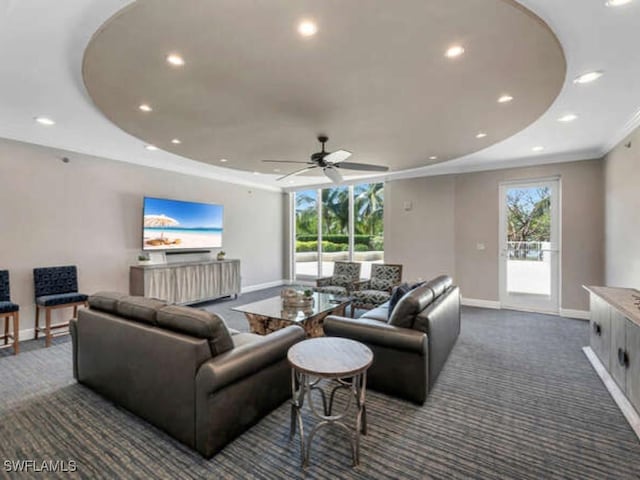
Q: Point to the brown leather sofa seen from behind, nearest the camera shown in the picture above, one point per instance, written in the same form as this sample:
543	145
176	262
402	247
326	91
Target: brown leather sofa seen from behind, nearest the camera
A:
180	368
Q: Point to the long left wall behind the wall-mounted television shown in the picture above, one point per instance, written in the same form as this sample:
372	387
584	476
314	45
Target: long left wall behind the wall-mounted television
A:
89	213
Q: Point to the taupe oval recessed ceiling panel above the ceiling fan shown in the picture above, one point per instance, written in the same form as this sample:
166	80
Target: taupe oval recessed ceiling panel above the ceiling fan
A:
253	89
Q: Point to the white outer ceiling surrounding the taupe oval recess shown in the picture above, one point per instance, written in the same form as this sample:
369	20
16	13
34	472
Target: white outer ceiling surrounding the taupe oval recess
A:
42	46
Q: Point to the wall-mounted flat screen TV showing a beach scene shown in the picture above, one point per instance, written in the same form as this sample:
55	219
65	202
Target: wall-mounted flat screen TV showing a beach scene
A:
177	225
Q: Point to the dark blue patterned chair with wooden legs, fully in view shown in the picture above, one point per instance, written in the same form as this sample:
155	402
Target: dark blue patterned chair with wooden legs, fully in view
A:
56	287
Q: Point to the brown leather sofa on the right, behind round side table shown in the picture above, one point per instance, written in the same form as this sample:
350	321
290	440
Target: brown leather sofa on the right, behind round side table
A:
411	347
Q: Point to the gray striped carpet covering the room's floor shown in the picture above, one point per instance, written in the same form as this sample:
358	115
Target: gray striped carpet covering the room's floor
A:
517	399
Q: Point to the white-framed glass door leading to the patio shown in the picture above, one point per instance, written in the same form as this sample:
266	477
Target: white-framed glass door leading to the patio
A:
529	245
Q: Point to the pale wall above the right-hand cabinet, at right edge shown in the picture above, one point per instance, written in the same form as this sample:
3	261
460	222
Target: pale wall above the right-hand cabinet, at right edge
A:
622	207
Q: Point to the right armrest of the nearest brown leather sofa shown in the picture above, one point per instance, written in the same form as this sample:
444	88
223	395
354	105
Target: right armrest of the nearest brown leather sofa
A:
243	361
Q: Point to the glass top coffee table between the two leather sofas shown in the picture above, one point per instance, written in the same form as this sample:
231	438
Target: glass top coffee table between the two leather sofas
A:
269	315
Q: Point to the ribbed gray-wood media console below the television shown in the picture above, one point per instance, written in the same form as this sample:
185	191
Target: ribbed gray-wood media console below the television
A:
186	282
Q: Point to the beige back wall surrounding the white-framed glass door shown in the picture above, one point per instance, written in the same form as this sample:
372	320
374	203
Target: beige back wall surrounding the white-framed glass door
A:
452	214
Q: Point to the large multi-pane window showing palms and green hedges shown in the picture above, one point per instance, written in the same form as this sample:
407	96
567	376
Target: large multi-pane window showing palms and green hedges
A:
350	228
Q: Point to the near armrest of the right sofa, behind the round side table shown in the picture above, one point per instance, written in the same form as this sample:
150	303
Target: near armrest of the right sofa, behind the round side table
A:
374	332
